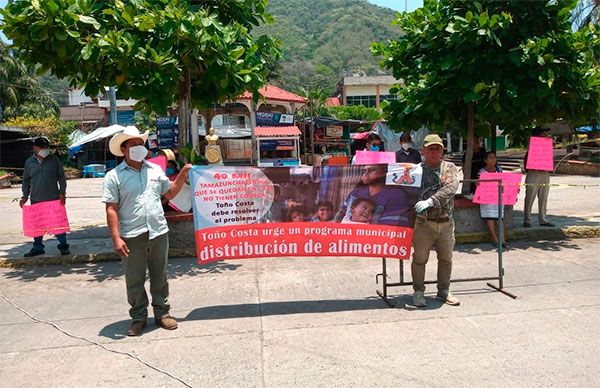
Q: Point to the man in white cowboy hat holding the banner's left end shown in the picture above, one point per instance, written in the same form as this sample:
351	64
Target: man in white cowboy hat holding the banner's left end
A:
138	228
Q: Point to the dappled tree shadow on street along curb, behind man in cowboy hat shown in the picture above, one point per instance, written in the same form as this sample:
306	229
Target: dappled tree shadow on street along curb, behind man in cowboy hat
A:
100	272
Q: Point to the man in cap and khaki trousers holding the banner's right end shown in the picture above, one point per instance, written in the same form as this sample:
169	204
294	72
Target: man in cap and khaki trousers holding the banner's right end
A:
434	225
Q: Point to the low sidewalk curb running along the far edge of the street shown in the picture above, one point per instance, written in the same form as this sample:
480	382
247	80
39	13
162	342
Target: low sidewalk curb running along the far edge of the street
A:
531	234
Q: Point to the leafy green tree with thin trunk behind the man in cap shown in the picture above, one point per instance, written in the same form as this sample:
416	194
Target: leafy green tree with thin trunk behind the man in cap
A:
507	62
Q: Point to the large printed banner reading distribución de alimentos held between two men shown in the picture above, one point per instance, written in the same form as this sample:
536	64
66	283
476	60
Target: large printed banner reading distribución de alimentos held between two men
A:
251	212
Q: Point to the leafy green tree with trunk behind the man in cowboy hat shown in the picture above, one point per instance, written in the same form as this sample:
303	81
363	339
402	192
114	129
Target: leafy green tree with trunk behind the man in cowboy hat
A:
156	51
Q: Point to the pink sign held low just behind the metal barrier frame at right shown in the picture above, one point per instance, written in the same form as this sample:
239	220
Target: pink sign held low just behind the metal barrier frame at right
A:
487	192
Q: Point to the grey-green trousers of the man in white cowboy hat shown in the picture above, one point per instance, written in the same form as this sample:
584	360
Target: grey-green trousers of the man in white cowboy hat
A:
152	254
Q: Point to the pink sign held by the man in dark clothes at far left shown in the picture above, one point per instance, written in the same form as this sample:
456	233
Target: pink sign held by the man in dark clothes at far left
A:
48	217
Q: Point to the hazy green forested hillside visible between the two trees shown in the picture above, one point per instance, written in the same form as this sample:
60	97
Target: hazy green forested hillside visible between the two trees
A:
321	38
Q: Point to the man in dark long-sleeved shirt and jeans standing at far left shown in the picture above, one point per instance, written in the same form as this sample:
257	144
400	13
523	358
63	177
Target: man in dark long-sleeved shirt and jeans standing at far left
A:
44	180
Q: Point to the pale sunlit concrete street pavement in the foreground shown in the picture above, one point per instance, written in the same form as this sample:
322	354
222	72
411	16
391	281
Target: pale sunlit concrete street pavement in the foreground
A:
309	322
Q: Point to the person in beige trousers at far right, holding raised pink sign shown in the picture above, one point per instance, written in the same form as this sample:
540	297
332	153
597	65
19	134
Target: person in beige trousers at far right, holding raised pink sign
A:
537	185
